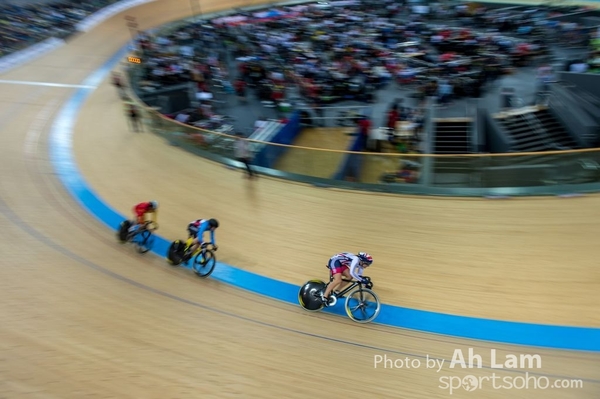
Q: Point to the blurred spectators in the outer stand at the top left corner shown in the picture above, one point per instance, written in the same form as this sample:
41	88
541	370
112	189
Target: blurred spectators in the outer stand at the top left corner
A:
24	25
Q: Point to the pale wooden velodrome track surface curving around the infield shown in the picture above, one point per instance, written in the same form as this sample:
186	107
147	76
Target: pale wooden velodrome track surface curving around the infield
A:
82	316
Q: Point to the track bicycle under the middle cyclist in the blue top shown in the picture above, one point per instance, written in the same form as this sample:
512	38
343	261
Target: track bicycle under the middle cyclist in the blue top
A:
203	258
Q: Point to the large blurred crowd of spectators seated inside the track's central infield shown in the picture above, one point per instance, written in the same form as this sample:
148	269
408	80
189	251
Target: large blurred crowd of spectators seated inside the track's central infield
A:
346	50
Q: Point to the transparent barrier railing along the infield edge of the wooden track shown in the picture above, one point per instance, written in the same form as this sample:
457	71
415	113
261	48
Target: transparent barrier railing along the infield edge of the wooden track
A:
559	170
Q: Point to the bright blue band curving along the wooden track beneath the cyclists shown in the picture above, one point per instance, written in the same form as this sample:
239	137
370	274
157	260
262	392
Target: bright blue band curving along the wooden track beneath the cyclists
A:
549	336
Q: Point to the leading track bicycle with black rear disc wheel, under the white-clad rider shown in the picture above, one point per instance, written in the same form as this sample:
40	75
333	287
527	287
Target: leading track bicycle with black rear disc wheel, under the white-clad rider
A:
362	304
